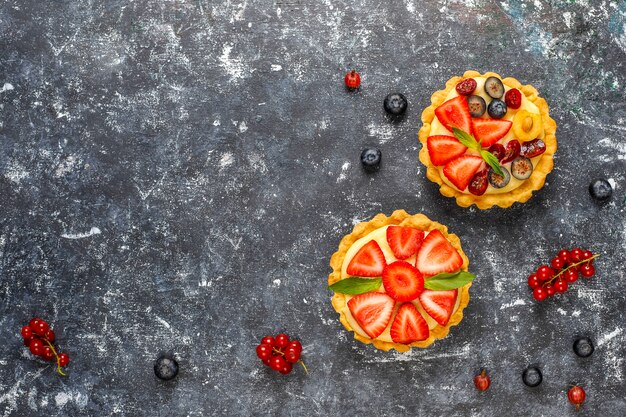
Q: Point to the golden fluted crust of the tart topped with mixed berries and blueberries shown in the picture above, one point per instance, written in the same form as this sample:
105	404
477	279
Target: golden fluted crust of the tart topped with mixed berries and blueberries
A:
520	194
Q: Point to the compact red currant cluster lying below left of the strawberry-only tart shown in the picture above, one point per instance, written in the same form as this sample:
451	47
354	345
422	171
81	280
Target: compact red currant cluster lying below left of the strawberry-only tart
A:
279	353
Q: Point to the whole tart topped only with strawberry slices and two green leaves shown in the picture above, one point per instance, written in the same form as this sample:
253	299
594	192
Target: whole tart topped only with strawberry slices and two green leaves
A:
400	281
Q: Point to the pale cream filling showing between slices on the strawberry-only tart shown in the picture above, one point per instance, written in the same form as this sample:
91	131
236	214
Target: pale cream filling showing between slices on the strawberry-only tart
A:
380	236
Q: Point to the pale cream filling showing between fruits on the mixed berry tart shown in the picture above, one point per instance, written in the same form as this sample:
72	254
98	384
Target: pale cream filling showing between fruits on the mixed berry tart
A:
436	128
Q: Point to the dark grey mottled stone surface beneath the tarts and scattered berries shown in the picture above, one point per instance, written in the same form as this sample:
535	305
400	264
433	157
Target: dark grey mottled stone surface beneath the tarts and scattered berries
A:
175	175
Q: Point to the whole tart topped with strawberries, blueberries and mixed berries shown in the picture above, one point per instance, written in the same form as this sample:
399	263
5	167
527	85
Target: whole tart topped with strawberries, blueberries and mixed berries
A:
487	141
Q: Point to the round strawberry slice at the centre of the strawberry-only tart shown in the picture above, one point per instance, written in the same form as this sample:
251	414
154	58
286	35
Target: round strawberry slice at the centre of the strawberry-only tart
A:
402	281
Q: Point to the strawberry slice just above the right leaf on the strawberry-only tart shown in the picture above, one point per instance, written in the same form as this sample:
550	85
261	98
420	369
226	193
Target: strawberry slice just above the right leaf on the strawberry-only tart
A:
437	255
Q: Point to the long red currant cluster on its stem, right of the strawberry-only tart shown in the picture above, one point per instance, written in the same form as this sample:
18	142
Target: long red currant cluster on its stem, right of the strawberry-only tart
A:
563	270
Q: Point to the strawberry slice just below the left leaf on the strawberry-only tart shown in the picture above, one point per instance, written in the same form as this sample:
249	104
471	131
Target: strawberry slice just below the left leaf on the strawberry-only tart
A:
372	311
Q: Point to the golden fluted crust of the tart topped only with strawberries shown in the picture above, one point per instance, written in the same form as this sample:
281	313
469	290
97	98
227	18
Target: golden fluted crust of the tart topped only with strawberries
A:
401	218
